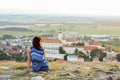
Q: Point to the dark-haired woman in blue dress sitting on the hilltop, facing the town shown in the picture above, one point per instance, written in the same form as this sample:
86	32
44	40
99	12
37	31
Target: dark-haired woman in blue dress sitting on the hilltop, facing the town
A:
36	55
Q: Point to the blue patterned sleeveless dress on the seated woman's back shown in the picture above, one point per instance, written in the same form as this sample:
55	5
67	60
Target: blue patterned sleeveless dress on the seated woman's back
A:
38	61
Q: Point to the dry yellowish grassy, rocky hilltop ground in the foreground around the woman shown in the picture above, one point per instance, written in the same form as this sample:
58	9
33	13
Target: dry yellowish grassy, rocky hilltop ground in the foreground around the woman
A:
64	71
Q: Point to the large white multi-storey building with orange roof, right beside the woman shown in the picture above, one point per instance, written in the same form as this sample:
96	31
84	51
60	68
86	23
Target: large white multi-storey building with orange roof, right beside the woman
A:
51	47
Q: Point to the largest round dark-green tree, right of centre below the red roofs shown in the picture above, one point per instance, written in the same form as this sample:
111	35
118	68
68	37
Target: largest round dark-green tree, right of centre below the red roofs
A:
98	53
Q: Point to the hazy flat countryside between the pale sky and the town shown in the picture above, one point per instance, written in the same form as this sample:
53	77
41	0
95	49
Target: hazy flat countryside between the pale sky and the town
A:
27	25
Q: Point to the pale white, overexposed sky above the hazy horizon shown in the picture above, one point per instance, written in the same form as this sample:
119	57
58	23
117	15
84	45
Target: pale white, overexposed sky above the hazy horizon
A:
61	7
